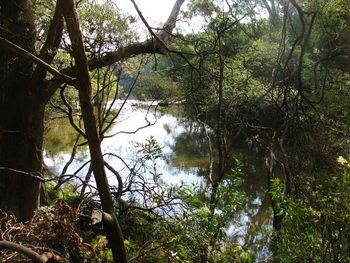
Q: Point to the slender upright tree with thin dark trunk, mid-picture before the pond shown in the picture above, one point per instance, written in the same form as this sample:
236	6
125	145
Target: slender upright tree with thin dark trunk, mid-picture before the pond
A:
214	95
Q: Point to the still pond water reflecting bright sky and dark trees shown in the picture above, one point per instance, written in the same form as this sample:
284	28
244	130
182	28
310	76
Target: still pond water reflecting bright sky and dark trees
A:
184	160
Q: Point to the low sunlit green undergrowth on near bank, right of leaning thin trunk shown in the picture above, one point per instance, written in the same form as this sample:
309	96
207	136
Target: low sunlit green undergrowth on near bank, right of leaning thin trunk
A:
185	235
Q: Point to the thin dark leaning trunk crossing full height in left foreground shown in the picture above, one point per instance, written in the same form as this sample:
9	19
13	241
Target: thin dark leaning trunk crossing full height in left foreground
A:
110	222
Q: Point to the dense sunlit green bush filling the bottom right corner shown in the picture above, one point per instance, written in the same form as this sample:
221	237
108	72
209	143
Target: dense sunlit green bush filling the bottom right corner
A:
316	226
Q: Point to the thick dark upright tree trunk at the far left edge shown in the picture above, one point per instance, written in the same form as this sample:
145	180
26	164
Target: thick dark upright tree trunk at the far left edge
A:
21	114
